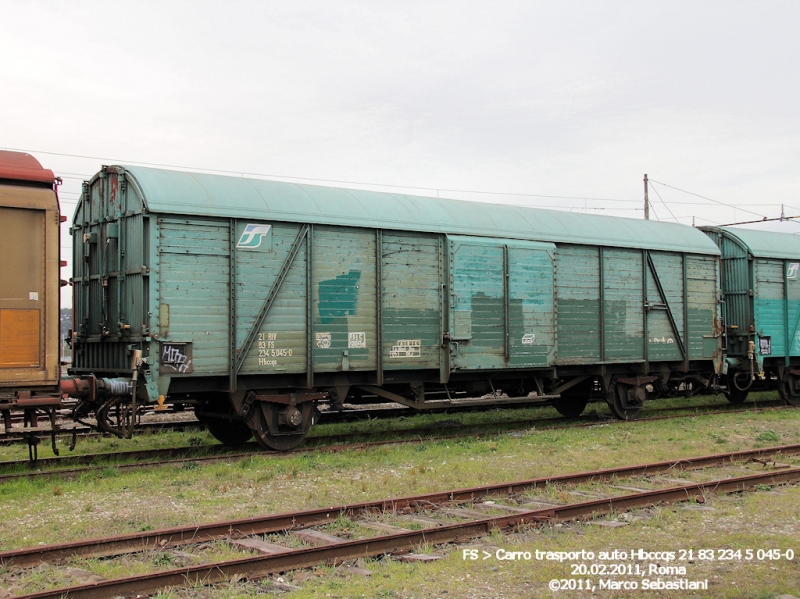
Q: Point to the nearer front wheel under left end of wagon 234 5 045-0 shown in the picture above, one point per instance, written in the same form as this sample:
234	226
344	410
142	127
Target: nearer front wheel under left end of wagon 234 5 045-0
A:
280	426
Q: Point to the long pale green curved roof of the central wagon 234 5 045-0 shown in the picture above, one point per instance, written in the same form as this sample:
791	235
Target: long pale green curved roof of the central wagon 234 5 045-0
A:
178	192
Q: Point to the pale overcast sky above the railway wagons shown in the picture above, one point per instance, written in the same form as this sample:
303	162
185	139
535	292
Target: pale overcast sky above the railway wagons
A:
557	98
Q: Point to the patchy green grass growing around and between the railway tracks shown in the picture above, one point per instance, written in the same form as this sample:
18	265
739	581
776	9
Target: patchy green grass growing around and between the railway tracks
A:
111	502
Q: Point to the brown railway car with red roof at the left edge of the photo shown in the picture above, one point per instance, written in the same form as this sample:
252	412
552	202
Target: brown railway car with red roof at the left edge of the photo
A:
29	287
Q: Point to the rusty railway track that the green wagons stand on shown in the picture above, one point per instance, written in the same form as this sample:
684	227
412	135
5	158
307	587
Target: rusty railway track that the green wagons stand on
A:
72	466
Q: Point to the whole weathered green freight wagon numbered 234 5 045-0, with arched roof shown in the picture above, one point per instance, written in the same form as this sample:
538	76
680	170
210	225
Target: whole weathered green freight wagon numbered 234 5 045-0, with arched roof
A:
258	298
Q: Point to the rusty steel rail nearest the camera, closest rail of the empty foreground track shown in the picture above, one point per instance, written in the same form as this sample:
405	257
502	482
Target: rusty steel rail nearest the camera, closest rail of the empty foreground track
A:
260	566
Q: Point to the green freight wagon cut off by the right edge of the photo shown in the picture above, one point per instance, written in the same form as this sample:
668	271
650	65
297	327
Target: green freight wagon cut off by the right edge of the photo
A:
761	311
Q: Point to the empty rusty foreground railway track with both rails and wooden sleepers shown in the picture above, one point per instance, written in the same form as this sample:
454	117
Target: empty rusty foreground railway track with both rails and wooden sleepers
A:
450	516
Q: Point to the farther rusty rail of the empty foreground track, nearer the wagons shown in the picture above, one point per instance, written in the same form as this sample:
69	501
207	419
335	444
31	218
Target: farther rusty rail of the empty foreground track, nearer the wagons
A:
183	535
